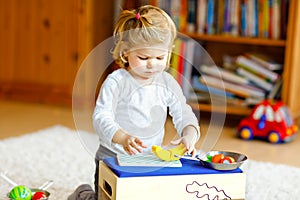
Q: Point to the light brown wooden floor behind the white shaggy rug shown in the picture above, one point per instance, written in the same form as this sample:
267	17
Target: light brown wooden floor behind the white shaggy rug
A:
17	118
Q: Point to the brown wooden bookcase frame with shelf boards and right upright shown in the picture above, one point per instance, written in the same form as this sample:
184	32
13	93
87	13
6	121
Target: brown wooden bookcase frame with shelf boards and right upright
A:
285	49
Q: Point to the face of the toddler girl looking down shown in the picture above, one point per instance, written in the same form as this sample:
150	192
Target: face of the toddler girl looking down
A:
146	62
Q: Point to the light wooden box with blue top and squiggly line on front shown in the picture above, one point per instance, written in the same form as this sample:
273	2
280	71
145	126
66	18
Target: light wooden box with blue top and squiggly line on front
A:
191	181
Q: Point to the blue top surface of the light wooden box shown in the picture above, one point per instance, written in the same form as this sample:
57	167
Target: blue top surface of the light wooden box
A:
189	167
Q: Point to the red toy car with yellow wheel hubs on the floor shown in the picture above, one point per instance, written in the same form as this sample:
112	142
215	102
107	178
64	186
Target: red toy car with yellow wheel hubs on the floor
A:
269	120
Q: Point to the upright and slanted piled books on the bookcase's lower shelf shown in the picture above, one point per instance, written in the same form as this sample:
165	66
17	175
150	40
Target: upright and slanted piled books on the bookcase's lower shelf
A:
241	83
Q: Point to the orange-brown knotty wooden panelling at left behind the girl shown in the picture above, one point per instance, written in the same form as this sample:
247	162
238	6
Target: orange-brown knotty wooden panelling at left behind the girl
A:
43	43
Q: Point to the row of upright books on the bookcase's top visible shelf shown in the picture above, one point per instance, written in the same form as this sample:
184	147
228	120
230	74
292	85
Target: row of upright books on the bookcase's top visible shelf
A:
249	18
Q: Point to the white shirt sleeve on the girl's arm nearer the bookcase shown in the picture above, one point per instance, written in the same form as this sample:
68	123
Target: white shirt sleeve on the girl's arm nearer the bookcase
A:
181	113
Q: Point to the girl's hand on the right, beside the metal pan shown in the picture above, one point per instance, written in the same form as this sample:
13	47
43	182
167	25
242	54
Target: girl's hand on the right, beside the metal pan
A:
189	138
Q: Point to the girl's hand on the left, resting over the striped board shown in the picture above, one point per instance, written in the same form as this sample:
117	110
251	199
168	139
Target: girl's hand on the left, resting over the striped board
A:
131	144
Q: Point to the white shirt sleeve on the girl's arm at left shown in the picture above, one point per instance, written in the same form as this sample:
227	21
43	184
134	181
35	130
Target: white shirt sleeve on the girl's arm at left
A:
103	116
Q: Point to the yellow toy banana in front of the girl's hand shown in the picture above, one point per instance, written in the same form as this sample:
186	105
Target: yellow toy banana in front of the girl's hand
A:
169	155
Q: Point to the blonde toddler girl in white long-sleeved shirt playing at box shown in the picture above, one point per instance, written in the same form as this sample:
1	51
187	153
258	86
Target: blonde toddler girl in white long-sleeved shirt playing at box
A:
132	106
